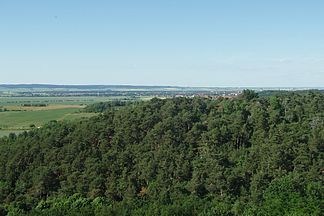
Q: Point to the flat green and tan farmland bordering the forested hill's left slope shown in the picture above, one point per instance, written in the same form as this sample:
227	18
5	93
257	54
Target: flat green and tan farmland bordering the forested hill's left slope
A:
20	113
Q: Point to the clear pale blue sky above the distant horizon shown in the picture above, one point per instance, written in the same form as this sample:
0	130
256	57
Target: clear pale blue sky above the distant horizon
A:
235	43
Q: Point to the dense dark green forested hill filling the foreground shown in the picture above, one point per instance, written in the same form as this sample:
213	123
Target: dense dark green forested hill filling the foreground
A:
245	156
